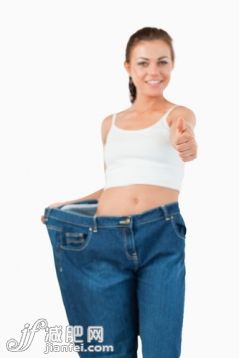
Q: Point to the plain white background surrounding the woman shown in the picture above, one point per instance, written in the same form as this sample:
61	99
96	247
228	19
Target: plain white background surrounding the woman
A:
61	74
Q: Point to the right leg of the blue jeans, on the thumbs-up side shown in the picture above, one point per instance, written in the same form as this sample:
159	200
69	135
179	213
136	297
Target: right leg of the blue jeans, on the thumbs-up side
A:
161	291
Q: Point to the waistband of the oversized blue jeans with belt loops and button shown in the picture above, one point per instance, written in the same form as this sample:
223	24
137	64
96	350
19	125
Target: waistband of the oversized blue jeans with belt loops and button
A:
83	213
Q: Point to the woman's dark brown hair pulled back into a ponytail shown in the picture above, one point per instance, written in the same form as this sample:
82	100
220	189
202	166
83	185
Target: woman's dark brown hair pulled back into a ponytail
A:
146	34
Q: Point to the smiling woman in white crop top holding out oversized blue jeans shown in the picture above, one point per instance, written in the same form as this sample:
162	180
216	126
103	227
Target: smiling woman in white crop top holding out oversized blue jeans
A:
130	268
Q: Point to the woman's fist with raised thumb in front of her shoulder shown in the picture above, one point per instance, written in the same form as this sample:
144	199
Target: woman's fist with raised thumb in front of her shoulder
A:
183	140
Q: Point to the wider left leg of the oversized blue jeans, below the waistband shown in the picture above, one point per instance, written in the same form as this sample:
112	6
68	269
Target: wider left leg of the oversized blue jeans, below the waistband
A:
98	286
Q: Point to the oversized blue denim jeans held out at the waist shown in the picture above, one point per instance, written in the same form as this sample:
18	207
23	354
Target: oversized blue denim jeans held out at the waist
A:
123	273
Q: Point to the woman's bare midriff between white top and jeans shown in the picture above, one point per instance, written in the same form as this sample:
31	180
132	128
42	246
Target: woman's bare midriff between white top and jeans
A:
133	199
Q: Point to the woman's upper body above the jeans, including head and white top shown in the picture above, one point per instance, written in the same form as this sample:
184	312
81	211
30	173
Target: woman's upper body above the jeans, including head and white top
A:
144	170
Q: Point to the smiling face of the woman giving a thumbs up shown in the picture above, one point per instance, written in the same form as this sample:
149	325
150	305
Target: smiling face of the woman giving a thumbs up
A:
150	67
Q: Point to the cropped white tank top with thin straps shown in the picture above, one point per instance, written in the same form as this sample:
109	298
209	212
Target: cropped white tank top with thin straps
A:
142	156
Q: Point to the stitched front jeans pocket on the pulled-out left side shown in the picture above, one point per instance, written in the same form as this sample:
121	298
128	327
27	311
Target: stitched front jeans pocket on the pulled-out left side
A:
75	238
